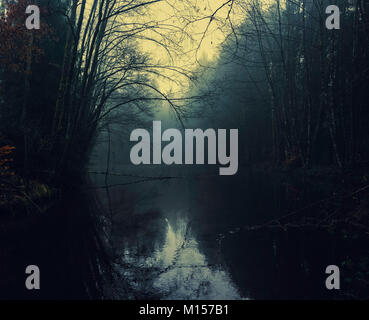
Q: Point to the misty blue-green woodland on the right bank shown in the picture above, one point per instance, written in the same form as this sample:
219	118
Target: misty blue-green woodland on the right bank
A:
298	89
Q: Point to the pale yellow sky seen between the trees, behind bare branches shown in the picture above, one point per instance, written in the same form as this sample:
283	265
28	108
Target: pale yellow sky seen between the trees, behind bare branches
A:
183	23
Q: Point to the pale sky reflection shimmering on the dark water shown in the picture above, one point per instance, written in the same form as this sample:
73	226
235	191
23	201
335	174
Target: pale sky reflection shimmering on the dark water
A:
179	270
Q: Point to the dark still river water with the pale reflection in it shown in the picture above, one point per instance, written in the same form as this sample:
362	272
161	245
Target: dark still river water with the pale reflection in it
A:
186	238
